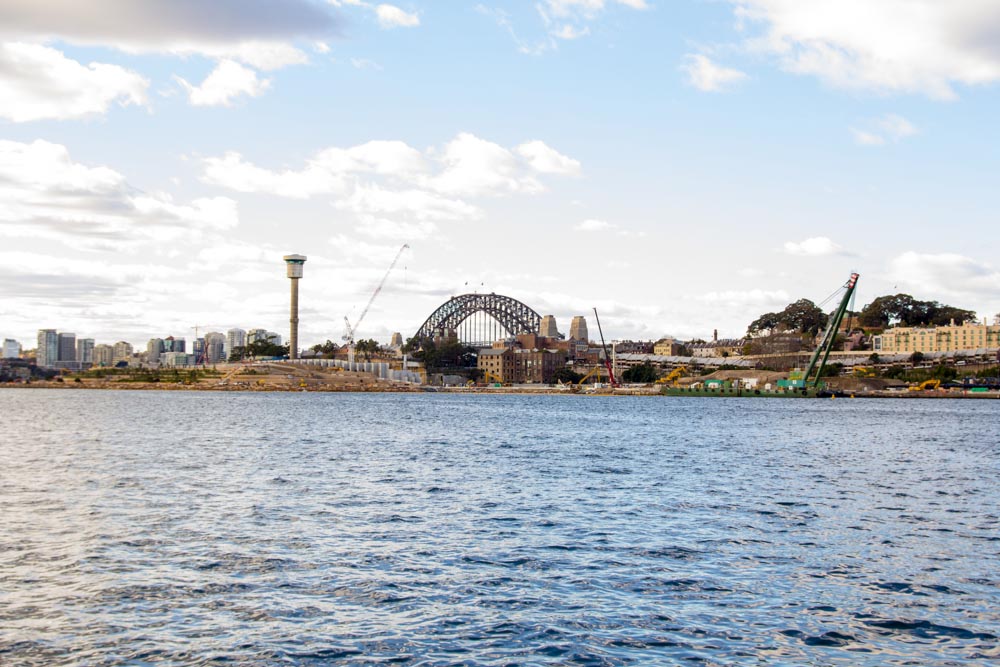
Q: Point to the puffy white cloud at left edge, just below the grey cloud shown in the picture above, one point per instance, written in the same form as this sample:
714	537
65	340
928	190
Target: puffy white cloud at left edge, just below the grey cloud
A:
38	82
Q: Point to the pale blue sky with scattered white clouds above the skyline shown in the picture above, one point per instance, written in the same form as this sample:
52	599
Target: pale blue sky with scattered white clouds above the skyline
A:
681	165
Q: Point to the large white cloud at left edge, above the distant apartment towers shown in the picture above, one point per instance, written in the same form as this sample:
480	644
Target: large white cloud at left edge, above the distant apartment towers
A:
48	195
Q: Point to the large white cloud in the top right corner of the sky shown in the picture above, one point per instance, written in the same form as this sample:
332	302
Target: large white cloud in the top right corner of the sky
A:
893	46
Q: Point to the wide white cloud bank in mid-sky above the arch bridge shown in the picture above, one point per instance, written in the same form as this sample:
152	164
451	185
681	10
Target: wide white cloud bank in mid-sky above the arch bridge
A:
389	186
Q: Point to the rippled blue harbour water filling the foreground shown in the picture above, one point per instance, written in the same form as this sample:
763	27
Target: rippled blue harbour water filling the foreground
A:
309	529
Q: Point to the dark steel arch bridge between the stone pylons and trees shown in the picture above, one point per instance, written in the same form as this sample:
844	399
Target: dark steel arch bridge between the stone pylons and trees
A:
480	319
